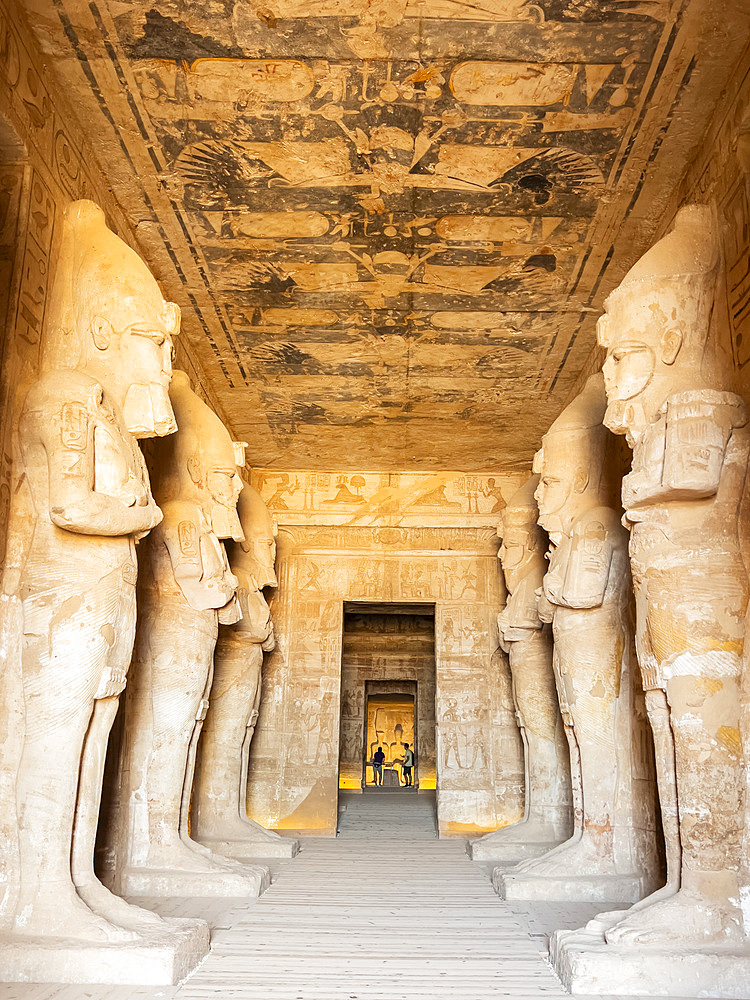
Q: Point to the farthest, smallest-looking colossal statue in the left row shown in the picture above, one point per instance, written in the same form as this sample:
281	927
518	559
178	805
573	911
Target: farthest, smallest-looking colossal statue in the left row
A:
220	819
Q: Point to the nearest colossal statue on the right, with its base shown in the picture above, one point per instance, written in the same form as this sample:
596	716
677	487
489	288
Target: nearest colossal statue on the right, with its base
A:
667	387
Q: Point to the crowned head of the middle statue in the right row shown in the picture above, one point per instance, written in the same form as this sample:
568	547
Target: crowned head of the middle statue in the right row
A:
570	463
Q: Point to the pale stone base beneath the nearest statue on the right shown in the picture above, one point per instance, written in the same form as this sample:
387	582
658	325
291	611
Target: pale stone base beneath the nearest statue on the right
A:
587	964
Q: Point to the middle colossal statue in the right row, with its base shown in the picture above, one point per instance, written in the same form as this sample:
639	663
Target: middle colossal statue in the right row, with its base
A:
587	596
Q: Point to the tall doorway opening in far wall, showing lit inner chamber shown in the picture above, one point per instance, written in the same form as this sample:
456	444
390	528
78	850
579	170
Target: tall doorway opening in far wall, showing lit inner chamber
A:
387	695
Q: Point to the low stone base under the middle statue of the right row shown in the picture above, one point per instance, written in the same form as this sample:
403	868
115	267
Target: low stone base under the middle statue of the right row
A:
571	888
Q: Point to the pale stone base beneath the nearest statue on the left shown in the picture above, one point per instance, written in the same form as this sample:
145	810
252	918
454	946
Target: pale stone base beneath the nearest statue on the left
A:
164	958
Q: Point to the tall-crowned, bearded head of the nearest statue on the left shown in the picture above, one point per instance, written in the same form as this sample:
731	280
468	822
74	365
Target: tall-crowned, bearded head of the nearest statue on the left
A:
108	317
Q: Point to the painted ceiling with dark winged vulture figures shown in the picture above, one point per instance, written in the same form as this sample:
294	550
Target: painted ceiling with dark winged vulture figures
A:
390	223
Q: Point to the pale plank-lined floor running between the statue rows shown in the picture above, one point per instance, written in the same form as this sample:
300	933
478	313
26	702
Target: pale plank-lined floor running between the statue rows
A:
384	912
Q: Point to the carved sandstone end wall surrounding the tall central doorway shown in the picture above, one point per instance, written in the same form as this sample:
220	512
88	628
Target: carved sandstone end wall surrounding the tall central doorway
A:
376	553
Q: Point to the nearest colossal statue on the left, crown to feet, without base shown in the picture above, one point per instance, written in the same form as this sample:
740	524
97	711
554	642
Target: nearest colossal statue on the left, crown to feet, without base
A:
82	502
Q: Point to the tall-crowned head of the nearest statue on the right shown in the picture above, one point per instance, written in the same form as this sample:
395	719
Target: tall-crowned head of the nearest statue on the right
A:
656	323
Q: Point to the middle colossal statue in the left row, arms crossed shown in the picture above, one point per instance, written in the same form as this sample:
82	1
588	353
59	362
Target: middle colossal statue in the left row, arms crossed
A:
186	589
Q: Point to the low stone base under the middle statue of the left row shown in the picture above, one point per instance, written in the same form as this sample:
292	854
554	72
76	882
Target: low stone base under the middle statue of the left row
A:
176	882
